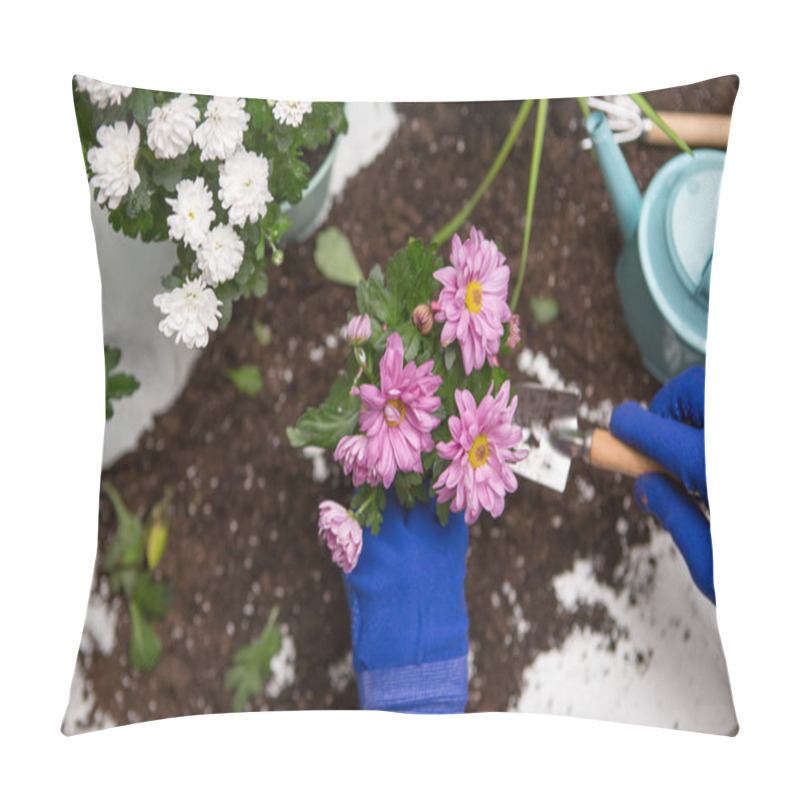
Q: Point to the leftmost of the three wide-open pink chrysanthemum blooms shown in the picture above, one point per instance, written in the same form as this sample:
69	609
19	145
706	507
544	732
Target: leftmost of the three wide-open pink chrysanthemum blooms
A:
397	418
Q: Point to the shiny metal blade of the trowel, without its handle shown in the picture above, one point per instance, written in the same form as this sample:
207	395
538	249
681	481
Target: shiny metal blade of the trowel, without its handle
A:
539	411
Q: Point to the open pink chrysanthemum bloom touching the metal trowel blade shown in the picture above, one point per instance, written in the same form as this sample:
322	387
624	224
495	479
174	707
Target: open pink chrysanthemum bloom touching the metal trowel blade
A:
482	447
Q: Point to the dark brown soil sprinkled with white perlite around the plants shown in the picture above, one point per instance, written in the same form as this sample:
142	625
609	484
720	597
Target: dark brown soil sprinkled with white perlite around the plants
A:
244	510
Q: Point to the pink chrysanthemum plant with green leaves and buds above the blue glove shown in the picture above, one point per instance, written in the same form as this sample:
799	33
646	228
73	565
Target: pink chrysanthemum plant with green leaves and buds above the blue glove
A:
422	408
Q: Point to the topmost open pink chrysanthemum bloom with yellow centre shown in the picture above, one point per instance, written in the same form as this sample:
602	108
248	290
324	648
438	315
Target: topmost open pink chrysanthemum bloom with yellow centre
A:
472	303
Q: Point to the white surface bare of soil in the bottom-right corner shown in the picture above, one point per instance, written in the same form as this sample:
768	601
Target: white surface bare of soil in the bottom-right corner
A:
667	669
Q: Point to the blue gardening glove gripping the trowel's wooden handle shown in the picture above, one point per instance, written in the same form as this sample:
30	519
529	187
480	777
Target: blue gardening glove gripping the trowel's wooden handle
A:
670	432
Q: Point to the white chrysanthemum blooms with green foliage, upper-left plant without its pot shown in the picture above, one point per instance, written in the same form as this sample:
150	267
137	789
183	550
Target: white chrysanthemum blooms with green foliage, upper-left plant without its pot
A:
215	176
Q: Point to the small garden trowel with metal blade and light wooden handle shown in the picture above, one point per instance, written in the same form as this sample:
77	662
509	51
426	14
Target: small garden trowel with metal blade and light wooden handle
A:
549	422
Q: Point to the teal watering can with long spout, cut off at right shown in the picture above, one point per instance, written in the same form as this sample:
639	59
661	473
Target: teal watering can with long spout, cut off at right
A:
664	269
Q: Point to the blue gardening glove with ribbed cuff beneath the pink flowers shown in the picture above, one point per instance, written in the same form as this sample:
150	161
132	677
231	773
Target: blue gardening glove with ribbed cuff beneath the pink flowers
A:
408	612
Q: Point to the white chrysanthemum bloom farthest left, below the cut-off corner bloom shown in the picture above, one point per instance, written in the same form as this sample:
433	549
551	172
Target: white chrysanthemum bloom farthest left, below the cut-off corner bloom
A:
113	163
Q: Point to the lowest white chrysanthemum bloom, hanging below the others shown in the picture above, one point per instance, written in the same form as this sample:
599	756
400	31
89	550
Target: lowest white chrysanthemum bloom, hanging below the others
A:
192	310
